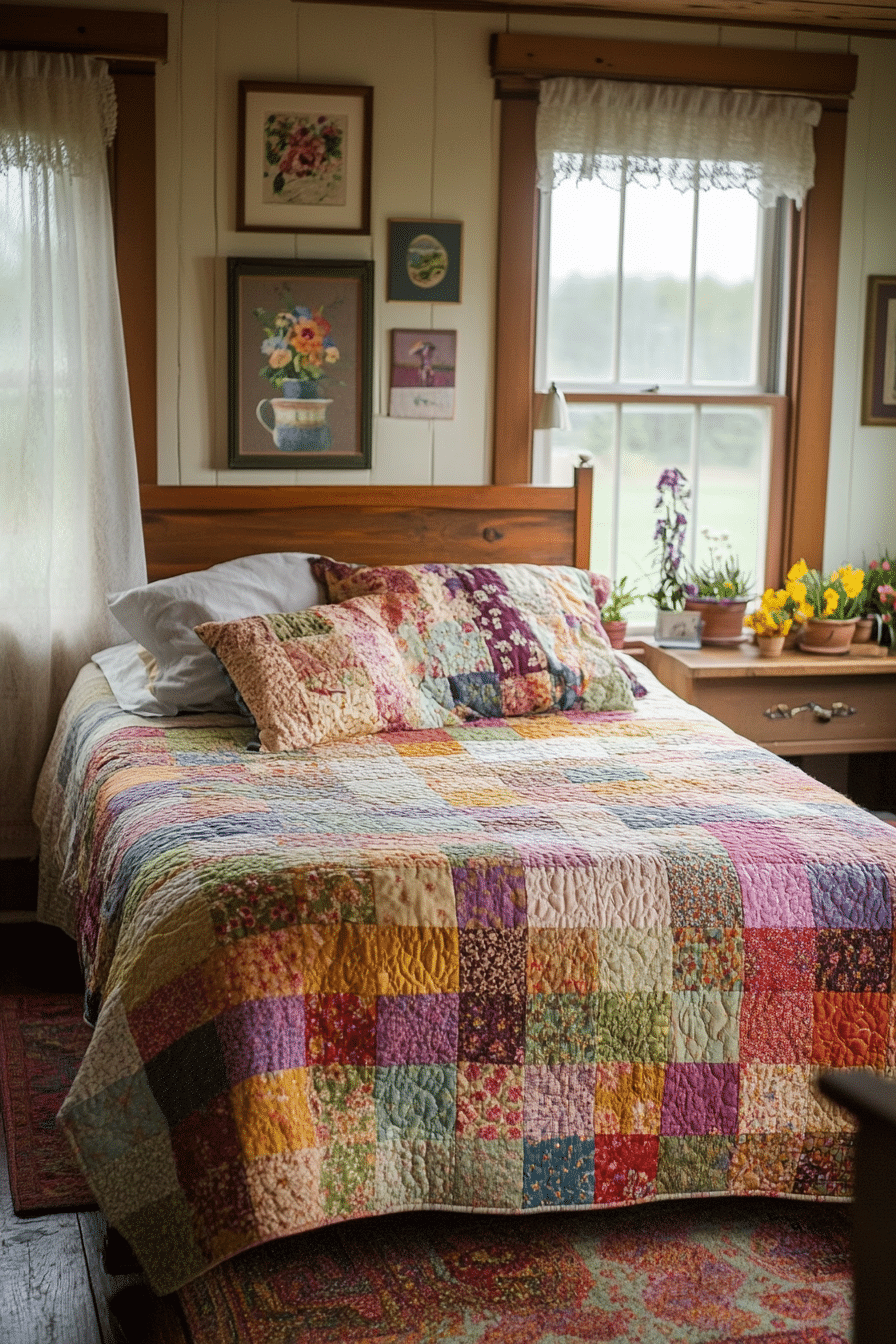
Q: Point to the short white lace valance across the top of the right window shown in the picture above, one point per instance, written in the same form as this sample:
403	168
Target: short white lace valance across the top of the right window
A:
678	134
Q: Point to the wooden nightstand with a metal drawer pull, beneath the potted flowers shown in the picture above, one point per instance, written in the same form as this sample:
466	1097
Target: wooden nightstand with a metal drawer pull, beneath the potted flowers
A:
851	702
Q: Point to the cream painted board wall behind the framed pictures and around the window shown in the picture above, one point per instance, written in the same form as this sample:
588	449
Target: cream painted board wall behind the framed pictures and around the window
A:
435	155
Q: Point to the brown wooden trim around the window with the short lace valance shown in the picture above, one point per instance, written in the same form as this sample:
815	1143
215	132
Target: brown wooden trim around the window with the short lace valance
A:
800	464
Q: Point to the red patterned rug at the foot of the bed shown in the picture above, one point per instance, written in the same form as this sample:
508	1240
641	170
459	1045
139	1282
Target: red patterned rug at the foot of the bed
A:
741	1272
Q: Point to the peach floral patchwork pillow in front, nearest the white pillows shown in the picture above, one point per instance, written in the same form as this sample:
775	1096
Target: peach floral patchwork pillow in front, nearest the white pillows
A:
322	674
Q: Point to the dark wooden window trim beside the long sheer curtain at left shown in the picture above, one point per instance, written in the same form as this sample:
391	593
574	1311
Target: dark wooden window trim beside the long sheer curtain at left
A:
132	42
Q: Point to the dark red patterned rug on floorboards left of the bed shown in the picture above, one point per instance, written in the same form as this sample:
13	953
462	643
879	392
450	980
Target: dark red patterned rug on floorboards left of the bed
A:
42	1042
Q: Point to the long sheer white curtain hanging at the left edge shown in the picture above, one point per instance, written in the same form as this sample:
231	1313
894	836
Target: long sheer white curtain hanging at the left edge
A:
69	503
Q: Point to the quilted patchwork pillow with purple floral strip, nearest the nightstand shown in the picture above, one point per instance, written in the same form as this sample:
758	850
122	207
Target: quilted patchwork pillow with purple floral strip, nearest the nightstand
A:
495	642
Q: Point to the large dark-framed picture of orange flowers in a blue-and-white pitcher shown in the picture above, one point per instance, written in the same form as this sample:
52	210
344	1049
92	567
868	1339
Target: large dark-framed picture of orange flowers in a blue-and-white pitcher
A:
300	361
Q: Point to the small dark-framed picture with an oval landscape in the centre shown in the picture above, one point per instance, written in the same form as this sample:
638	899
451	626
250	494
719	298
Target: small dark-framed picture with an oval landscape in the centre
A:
425	261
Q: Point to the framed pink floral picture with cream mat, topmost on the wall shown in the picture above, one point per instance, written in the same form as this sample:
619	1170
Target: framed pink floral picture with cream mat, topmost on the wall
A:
304	159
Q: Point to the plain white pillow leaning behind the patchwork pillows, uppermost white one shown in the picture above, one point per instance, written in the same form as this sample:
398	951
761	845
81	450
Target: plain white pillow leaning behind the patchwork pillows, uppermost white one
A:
162	618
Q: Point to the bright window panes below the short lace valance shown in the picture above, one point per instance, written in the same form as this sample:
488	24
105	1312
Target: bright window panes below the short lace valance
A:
675	298
